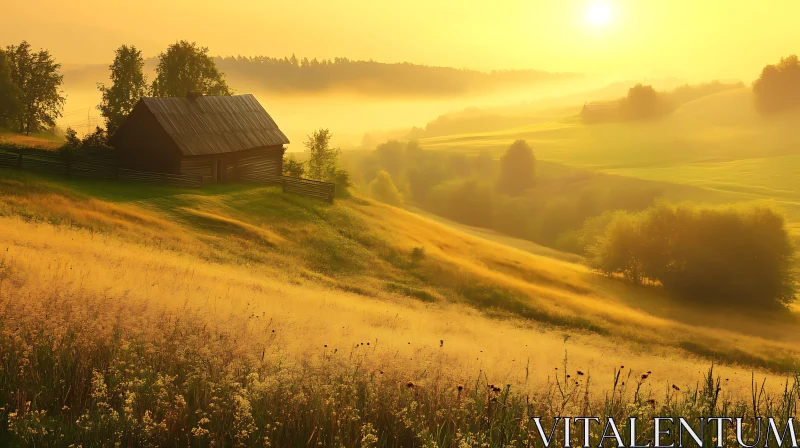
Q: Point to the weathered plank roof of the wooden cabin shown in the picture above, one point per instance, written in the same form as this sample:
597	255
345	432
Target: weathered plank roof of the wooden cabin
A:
203	125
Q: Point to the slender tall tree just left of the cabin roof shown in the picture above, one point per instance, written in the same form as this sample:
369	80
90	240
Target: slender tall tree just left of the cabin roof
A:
128	85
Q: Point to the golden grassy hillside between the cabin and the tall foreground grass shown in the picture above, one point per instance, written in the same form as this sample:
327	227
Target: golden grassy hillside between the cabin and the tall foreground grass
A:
345	273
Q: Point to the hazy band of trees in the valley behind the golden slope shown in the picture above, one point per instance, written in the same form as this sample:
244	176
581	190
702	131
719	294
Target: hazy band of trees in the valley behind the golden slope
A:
513	194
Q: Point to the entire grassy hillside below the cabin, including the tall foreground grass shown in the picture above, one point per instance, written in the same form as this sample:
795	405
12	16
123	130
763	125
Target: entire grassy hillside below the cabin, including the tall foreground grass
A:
156	313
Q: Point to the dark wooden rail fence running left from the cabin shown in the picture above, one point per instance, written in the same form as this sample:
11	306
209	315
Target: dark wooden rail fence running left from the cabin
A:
92	165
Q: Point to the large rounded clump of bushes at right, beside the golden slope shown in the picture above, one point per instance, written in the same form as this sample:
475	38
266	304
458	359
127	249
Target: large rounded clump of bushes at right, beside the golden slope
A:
729	256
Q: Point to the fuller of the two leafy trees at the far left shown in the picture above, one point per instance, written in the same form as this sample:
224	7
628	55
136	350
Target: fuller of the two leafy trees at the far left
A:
36	77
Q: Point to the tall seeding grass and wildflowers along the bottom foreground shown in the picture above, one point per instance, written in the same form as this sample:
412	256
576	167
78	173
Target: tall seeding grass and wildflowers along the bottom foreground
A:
87	371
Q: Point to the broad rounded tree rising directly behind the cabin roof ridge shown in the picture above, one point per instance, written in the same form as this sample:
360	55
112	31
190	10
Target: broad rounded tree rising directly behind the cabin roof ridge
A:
185	68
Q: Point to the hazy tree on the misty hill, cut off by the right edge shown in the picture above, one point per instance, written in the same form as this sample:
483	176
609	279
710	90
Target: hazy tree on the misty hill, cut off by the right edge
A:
778	87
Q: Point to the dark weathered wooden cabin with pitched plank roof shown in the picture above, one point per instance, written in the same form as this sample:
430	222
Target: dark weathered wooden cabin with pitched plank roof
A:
219	138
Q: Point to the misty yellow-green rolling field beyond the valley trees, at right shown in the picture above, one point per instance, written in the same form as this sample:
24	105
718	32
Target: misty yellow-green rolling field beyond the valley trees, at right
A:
718	143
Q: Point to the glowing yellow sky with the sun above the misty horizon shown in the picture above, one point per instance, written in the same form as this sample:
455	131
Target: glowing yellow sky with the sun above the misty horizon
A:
694	38
